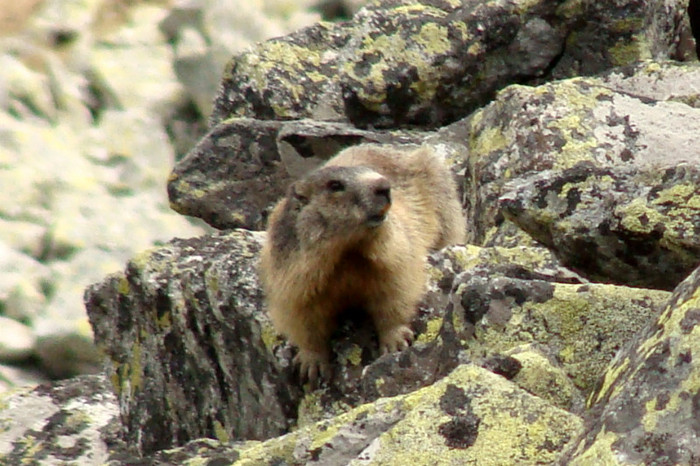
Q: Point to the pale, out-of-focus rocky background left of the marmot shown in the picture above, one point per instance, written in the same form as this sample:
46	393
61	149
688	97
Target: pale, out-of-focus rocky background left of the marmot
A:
98	98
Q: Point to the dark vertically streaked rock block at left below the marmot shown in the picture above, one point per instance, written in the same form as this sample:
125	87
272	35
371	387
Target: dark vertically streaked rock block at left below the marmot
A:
184	330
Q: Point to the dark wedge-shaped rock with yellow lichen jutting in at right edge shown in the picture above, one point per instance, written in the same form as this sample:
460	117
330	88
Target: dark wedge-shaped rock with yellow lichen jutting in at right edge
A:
638	227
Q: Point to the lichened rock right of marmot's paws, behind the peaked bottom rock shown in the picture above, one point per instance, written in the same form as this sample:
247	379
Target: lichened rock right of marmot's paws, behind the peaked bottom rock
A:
582	326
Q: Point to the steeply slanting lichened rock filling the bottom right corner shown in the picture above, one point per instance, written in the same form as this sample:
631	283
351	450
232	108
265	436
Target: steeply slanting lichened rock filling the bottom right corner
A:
647	407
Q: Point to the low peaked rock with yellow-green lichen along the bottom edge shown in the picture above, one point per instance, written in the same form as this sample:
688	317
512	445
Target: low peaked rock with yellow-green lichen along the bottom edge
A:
470	416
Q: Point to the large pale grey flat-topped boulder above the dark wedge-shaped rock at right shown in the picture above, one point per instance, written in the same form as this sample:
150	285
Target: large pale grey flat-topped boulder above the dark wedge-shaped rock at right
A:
556	126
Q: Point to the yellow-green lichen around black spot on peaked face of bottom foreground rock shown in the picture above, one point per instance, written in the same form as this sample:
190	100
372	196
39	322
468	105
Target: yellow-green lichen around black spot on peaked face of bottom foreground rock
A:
502	438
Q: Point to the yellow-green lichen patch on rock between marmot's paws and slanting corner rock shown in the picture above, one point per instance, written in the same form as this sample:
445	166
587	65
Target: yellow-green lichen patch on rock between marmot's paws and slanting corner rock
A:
572	322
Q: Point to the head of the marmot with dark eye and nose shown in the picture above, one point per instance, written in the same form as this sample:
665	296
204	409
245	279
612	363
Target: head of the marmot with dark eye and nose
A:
339	202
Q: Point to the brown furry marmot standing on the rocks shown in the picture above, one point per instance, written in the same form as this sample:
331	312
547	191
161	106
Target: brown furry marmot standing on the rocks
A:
355	233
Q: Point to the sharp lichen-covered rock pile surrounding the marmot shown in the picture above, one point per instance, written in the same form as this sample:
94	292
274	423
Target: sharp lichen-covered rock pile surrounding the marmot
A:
565	332
